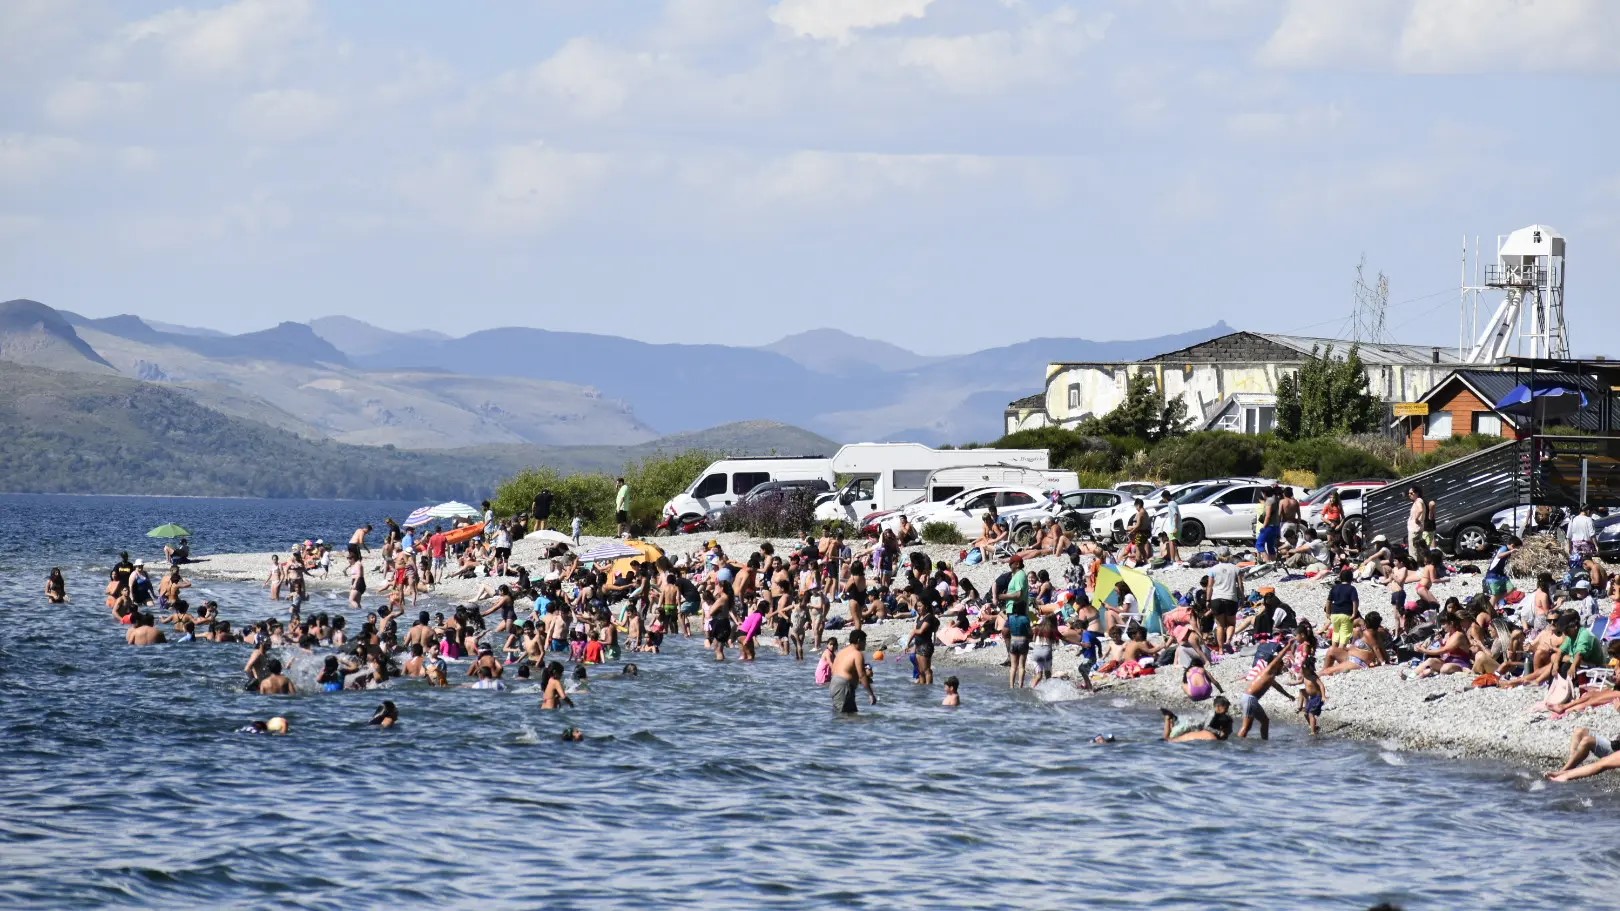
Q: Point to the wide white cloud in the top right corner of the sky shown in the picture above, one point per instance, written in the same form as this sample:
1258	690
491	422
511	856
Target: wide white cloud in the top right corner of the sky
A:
1444	36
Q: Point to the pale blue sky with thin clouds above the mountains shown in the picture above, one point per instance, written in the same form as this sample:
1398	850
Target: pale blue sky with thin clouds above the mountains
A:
939	174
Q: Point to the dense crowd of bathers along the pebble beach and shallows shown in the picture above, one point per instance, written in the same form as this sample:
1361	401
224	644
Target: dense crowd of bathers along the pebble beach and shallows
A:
821	596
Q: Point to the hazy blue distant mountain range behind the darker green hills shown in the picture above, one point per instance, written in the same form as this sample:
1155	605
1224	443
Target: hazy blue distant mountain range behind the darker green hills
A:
509	391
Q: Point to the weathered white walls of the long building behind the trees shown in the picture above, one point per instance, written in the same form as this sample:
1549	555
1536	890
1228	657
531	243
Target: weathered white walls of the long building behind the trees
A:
1229	383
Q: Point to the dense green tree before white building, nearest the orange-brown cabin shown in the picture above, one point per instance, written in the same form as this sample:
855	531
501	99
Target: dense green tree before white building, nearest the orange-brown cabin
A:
1328	396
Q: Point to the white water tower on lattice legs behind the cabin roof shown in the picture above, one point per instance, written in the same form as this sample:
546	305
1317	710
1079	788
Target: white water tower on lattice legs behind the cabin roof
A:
1530	320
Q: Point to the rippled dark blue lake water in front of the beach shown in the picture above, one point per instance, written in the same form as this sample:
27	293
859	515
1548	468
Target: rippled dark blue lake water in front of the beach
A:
124	782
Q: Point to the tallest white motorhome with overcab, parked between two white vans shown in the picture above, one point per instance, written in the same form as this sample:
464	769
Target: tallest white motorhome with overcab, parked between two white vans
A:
889	476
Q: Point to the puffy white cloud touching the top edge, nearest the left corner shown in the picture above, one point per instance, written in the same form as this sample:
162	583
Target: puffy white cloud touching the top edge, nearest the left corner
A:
249	36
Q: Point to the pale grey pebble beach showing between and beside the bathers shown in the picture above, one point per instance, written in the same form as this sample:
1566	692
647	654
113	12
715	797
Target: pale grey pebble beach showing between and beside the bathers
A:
1441	716
